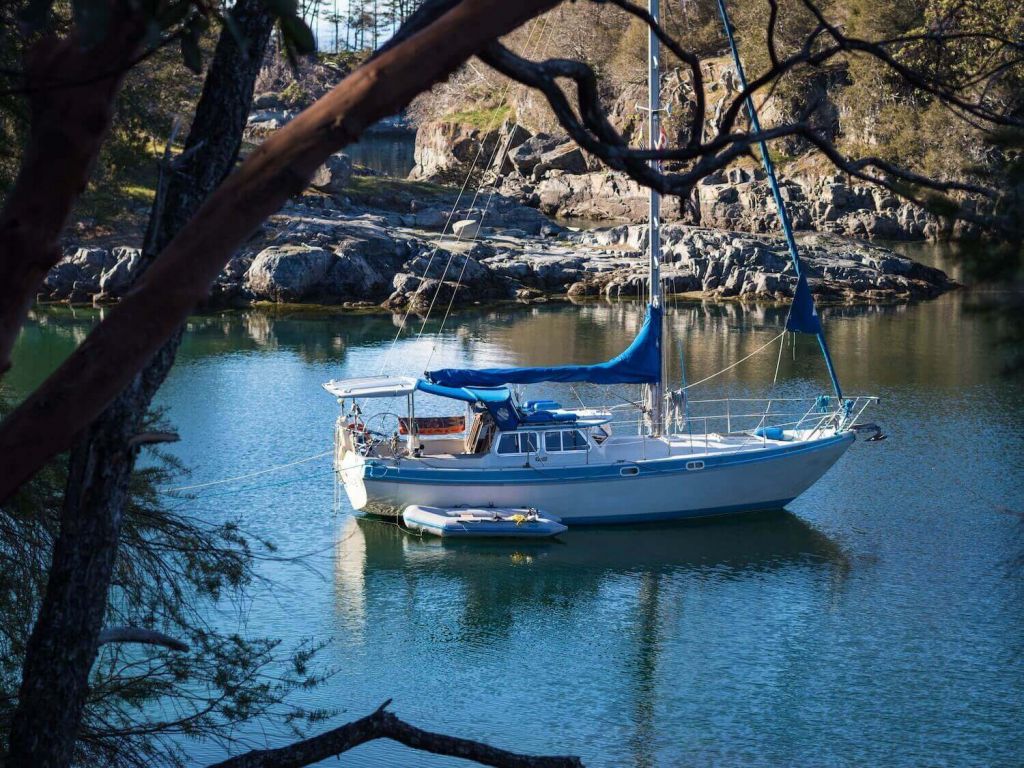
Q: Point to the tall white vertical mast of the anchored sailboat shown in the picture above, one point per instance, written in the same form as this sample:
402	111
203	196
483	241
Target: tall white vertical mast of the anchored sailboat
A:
656	392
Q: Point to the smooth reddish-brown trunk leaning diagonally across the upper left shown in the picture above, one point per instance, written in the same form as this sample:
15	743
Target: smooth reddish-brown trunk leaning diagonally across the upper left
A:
121	346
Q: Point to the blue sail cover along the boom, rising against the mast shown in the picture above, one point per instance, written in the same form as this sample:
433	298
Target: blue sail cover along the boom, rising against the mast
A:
639	364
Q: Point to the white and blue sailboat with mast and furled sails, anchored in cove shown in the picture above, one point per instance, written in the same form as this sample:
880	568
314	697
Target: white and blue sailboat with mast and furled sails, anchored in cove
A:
575	463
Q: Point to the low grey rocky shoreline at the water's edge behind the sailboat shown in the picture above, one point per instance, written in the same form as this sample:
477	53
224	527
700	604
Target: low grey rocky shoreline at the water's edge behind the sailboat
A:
383	249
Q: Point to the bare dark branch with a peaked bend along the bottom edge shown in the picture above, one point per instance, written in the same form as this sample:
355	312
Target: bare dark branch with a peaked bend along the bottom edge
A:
383	724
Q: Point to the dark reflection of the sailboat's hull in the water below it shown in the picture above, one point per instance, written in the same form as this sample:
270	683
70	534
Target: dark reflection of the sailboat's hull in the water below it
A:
484	580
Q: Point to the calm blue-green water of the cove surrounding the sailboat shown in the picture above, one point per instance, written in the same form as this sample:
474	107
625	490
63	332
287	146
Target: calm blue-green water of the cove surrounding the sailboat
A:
879	621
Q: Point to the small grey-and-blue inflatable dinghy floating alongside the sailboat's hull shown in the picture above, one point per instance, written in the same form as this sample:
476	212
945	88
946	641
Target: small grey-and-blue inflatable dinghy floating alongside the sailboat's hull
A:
468	523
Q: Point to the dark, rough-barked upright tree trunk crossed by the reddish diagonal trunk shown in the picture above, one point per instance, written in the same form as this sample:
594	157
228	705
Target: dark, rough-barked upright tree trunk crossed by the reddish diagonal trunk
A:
65	641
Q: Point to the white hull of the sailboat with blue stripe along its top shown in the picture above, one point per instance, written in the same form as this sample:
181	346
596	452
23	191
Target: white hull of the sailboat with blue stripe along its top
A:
659	490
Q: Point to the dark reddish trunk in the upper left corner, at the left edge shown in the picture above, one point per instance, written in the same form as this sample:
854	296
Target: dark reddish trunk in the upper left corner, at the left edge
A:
72	91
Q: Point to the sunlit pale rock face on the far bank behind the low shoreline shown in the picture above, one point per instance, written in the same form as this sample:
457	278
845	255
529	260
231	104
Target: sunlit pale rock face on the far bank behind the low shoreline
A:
554	177
